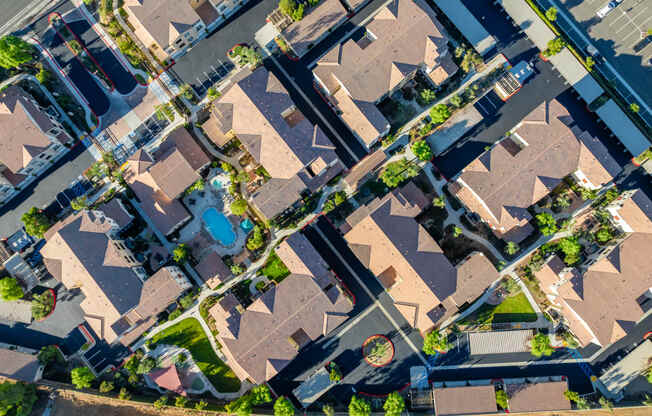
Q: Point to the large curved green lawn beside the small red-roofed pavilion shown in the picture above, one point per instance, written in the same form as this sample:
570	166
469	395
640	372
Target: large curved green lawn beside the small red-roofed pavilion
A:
190	335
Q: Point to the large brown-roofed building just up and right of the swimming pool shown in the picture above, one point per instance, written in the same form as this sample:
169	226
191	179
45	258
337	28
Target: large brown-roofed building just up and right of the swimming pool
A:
298	155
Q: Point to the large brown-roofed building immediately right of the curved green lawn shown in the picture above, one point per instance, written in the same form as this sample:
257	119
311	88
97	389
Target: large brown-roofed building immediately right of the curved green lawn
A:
261	339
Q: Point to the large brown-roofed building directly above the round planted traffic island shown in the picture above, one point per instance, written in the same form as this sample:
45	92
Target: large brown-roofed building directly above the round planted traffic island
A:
425	287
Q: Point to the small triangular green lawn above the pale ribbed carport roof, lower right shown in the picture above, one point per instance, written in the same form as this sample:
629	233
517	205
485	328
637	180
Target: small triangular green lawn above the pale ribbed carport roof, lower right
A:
513	309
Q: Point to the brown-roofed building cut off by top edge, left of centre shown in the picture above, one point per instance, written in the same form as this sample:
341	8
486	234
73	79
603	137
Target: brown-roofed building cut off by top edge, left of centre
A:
164	20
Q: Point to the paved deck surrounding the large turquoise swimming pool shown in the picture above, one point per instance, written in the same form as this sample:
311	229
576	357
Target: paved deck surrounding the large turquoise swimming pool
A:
220	200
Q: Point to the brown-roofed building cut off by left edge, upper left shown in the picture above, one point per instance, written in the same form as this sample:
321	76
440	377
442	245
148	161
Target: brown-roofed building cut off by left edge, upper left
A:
23	125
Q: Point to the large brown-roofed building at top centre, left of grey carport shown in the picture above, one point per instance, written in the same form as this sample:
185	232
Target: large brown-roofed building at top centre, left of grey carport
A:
402	38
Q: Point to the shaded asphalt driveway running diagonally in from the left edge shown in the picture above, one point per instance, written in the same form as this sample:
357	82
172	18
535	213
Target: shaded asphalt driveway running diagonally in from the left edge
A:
44	190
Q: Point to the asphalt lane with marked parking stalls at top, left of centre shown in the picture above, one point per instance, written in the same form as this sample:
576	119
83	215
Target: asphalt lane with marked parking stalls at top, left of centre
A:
207	62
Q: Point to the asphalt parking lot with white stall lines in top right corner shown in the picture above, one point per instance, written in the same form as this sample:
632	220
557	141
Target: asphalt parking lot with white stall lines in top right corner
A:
621	37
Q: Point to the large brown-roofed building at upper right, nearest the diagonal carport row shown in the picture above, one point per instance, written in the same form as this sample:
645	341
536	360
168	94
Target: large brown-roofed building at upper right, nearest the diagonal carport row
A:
506	180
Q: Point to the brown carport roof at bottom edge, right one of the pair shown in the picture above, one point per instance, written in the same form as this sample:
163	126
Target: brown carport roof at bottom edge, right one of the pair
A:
538	397
